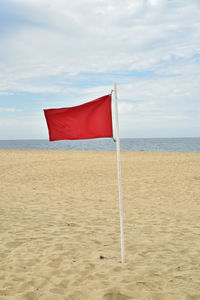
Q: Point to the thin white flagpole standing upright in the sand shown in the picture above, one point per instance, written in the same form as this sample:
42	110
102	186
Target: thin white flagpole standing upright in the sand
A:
119	173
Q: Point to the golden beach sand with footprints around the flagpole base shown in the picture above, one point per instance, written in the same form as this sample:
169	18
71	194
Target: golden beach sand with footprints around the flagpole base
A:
60	234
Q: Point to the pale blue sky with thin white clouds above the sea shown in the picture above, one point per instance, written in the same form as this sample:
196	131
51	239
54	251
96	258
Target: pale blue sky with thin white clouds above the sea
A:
60	53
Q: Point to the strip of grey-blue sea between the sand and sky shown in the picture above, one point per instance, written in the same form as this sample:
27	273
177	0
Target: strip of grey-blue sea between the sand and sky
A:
126	144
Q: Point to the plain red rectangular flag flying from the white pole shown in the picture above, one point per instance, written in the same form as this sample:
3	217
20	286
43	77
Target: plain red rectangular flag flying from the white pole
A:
87	121
